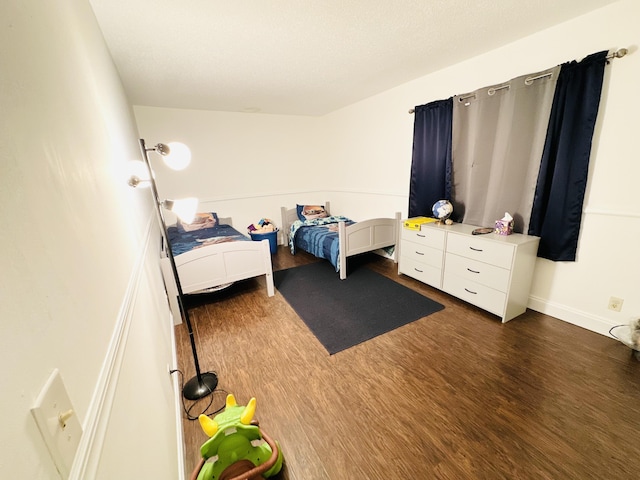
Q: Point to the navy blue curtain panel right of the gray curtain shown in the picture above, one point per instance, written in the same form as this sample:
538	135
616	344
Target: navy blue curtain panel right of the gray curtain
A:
557	207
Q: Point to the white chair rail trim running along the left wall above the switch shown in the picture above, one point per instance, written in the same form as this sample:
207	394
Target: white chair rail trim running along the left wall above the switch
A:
87	457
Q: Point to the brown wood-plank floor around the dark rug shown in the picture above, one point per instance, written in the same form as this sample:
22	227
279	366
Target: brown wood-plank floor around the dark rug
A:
455	395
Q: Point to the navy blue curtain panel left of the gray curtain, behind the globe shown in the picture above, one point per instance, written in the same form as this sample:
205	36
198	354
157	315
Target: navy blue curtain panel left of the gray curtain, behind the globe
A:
431	160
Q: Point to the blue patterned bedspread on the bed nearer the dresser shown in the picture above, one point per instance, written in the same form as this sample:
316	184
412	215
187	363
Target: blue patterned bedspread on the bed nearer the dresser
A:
319	237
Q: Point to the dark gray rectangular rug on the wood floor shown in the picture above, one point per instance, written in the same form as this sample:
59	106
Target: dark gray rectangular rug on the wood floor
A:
344	313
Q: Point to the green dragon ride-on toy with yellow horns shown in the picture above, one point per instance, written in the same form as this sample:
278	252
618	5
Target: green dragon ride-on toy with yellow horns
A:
237	449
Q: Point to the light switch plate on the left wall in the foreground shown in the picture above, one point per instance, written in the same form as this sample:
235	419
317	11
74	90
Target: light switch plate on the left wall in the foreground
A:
58	423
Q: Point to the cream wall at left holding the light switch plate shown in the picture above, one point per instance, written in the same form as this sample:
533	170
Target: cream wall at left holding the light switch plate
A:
80	288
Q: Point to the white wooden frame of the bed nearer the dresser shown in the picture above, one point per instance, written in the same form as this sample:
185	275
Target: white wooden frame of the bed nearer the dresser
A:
354	239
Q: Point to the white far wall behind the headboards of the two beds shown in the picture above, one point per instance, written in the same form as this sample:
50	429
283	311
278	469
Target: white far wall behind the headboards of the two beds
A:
243	165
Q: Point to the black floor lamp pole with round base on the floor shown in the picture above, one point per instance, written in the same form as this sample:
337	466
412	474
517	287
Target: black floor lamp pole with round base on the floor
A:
202	384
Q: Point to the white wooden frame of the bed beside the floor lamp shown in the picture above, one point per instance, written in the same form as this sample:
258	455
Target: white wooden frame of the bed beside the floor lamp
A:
216	266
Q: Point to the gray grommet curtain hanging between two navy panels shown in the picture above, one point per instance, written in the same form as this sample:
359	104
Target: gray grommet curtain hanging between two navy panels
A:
498	137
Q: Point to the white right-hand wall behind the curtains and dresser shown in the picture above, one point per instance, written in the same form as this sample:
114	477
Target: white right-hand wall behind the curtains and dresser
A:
607	255
